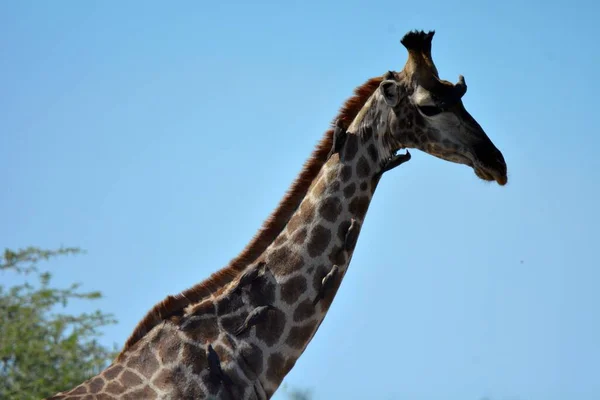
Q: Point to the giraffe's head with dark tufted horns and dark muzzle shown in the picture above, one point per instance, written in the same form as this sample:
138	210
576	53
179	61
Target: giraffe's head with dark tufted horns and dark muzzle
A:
427	113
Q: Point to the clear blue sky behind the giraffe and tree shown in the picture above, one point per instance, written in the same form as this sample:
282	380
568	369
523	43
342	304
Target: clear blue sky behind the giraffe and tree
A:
158	136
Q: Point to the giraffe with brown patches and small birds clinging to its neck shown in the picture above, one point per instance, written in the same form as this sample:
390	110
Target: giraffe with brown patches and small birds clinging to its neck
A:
238	334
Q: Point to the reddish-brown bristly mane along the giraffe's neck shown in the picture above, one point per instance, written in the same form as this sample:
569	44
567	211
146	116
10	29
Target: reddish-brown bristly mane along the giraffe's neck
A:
274	224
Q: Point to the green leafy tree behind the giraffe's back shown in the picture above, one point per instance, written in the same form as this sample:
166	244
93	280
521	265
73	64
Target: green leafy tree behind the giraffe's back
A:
43	349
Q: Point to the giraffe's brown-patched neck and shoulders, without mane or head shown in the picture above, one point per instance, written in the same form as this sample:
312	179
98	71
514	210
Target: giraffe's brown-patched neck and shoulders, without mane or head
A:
243	340
